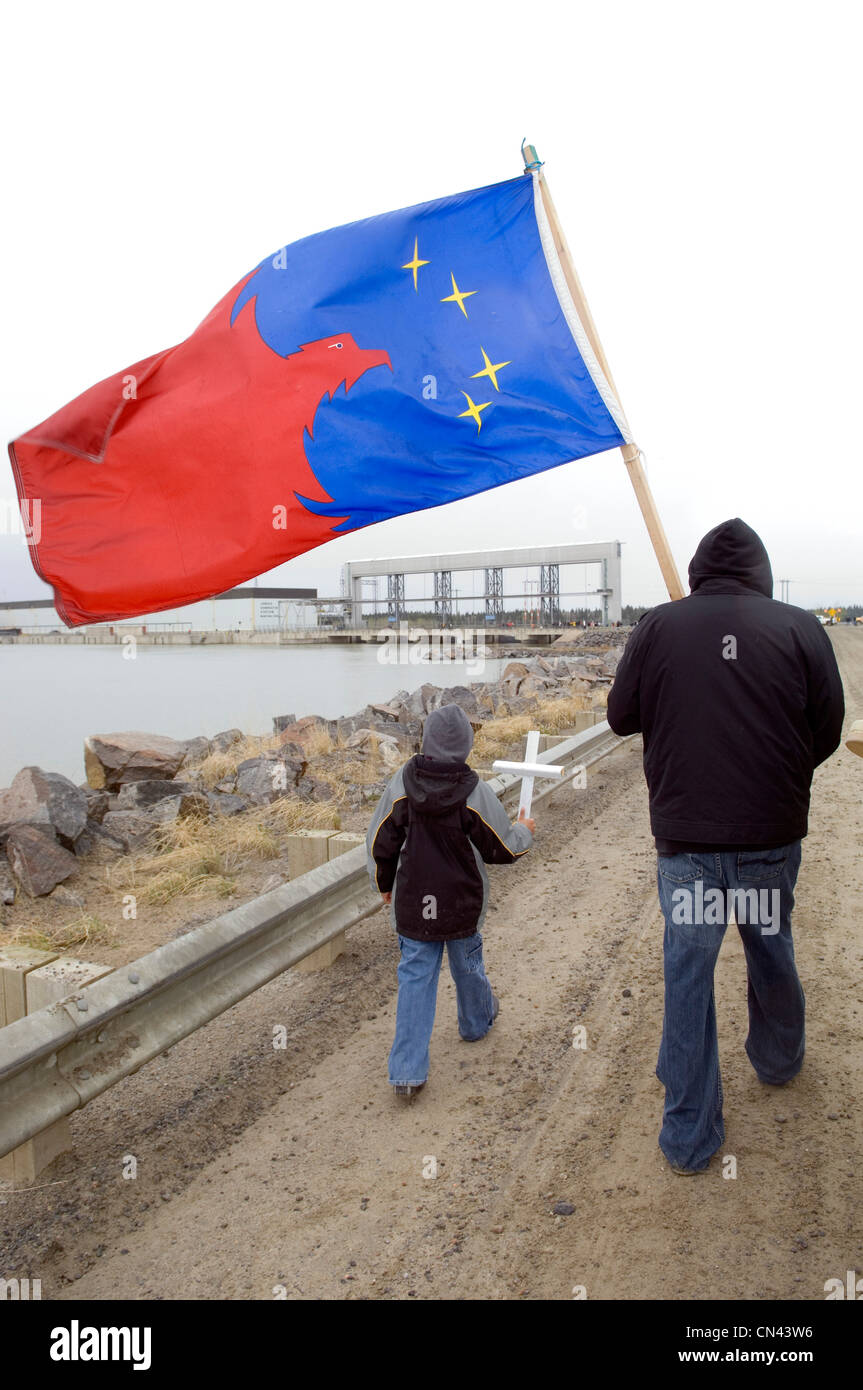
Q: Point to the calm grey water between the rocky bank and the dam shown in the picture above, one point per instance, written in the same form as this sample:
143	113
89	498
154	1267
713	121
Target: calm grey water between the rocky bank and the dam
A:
54	697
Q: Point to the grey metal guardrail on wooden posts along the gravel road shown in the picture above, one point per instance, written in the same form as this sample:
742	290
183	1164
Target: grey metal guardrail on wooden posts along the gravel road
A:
58	1060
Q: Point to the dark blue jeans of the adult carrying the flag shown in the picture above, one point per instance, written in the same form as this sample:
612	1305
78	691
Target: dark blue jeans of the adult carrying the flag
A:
696	925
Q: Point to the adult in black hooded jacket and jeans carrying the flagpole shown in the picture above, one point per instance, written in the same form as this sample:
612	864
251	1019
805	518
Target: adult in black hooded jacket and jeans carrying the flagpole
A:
739	698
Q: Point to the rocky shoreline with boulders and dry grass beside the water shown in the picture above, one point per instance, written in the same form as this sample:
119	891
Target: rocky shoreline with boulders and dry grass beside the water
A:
140	786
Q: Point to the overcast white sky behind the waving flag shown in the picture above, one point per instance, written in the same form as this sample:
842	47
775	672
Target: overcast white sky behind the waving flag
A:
705	161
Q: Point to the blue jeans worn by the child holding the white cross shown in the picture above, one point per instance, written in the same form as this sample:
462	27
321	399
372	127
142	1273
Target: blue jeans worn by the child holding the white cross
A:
419	972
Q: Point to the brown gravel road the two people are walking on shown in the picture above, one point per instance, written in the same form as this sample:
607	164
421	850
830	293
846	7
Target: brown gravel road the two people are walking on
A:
262	1171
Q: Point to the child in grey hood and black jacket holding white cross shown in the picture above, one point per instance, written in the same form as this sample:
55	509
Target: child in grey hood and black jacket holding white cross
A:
434	831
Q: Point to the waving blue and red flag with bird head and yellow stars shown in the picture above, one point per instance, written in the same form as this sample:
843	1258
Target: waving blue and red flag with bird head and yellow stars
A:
362	373
